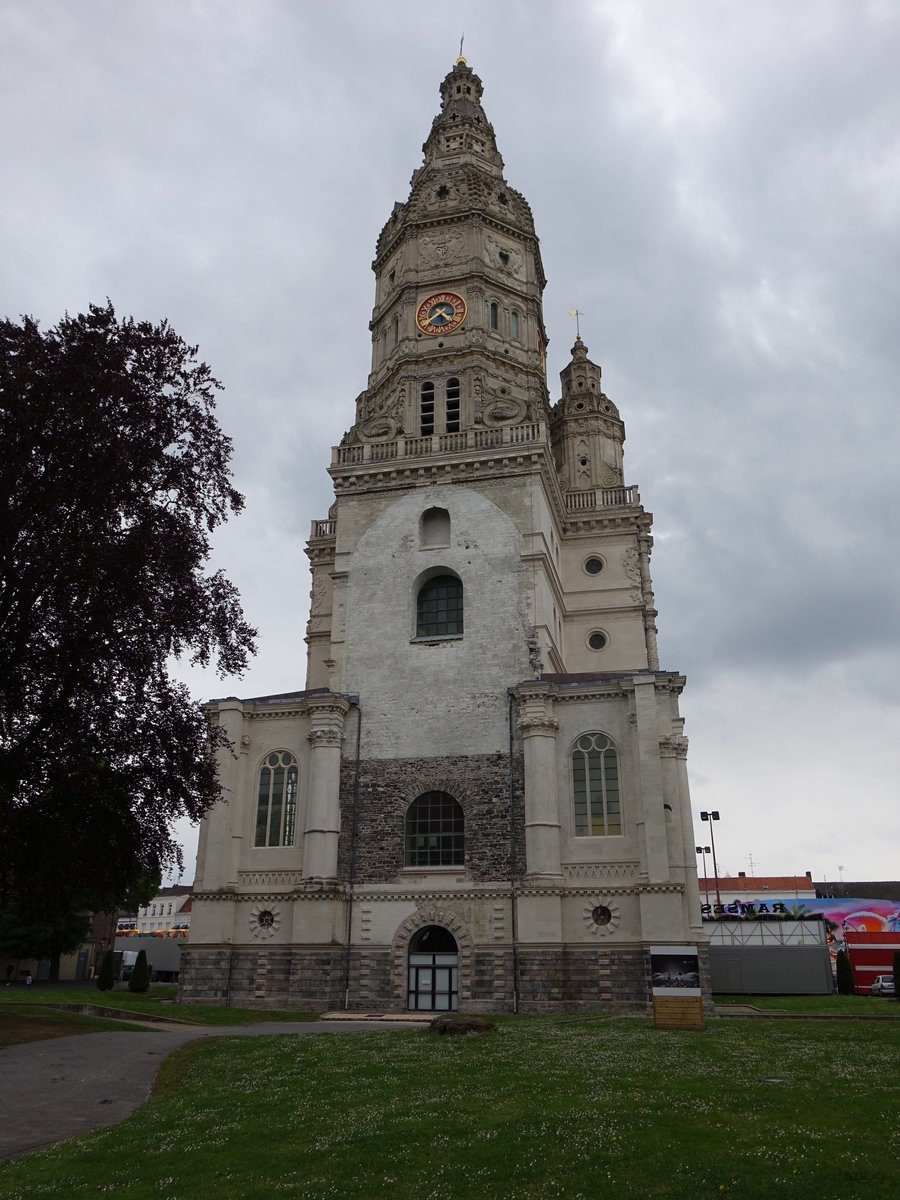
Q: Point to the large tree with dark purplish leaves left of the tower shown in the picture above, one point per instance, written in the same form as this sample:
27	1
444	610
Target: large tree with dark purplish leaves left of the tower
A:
113	476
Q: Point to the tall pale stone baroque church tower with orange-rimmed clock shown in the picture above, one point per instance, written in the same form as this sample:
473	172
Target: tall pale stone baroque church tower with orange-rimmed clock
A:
481	799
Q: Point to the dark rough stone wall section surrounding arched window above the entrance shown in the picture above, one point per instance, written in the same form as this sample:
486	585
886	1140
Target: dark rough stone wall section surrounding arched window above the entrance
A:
479	783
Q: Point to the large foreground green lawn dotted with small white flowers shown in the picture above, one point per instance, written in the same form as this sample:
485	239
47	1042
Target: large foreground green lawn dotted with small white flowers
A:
541	1108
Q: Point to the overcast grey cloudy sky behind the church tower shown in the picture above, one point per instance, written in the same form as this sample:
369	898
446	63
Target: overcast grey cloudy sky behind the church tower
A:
716	185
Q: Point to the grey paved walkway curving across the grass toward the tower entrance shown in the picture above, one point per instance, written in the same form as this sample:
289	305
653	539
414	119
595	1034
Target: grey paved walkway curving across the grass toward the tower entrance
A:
55	1090
